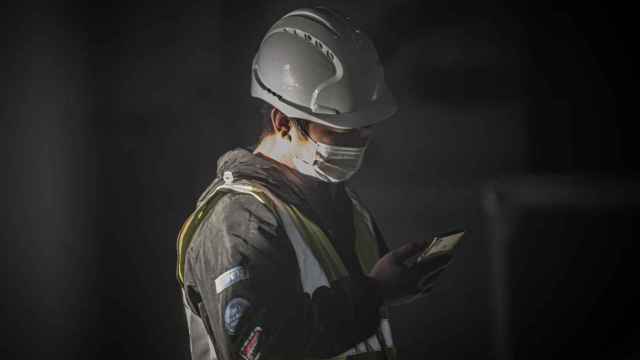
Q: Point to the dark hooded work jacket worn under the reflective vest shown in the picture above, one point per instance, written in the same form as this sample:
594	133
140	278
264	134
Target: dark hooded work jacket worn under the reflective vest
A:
241	246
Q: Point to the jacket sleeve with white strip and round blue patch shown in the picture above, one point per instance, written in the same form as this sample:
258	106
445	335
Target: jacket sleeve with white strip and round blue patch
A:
247	279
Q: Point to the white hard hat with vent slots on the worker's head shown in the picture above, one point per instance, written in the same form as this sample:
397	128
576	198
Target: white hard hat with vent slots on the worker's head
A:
314	64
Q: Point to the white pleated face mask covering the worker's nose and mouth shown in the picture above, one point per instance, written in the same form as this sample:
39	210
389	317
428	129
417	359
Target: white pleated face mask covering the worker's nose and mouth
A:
329	163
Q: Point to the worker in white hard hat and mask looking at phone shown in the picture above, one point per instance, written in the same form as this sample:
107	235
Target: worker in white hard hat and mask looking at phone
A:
281	259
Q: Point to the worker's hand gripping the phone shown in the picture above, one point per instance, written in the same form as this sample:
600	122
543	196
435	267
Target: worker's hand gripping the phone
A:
399	283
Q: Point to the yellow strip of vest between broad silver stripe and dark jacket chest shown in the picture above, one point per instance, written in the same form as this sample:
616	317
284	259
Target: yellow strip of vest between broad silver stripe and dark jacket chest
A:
320	245
